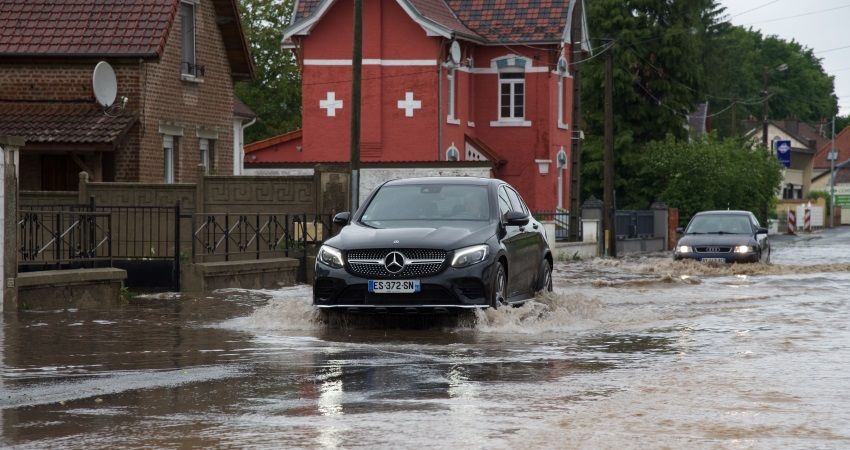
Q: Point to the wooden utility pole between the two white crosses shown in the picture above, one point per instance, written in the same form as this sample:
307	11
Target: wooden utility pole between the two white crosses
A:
356	64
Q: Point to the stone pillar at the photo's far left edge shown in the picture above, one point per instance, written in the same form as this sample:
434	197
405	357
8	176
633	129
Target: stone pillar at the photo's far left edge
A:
9	210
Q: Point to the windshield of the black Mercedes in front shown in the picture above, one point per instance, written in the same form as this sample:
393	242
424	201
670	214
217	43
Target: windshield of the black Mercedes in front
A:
415	205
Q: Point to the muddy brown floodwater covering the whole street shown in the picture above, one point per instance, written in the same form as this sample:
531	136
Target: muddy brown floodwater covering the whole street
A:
632	353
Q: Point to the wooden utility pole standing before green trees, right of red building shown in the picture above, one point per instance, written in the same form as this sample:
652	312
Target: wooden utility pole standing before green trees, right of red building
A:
608	194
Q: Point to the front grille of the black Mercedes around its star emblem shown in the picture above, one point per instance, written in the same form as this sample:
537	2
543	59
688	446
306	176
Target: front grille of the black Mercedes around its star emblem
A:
420	262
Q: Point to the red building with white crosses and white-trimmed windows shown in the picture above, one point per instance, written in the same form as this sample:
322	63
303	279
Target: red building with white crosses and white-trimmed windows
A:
443	81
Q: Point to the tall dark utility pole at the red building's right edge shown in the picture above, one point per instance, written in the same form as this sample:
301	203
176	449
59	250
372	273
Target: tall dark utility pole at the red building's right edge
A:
576	41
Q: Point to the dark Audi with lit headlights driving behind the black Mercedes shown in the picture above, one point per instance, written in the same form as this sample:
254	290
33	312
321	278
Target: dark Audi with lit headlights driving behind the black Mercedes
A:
725	237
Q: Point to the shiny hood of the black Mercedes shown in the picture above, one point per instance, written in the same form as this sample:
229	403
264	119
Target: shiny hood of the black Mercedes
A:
356	236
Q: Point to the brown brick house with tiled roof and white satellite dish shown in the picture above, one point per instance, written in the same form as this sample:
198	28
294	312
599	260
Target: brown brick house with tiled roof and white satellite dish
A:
175	62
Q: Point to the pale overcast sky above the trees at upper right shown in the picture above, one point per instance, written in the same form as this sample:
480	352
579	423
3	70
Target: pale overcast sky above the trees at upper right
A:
821	25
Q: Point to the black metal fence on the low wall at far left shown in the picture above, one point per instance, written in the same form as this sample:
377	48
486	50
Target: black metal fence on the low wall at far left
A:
57	239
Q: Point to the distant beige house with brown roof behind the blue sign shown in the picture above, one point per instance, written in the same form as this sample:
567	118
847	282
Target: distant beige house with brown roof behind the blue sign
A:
805	142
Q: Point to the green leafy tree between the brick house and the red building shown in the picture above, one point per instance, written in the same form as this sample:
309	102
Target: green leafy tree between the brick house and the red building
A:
275	94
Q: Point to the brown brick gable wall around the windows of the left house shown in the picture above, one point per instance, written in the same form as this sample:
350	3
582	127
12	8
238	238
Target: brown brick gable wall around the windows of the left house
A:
169	100
